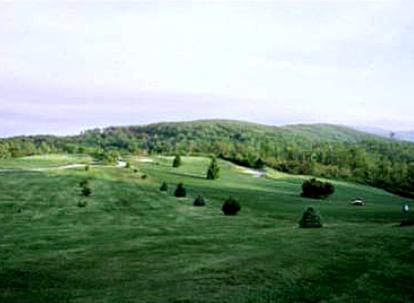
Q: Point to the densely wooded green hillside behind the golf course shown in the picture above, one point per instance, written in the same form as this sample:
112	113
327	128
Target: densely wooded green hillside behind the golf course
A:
319	149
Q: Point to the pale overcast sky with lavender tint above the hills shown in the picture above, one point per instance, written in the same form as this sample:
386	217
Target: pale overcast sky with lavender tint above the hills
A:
70	65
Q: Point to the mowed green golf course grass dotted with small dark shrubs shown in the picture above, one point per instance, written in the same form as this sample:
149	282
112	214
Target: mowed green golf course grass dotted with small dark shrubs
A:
133	243
